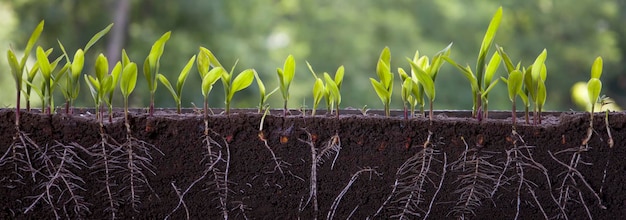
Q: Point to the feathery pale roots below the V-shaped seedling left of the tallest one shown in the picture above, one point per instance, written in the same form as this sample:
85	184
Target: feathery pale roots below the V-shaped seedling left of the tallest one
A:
413	179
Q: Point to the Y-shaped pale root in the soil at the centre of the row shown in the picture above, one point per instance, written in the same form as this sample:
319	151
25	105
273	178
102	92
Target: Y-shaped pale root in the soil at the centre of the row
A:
330	148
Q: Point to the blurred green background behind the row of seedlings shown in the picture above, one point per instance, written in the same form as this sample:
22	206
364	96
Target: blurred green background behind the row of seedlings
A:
328	33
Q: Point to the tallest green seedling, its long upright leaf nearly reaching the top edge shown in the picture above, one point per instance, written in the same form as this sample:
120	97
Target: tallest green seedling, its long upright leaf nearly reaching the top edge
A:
482	80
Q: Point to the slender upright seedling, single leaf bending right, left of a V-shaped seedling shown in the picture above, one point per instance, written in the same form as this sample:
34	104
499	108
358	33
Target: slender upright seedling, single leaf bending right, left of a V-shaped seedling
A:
151	66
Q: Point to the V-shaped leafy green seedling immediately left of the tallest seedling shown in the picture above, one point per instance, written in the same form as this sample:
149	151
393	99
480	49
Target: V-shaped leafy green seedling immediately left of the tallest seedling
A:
426	74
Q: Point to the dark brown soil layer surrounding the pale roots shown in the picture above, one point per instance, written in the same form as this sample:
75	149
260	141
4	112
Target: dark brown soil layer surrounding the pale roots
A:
257	190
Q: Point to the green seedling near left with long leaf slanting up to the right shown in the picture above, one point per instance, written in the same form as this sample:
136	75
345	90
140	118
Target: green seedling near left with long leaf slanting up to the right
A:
72	84
